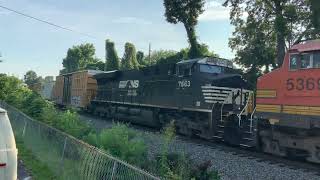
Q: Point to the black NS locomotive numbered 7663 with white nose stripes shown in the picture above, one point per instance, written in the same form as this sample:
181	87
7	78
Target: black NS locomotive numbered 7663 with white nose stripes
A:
205	97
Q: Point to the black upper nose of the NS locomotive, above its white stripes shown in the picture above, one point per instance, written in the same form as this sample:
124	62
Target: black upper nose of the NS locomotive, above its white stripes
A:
230	80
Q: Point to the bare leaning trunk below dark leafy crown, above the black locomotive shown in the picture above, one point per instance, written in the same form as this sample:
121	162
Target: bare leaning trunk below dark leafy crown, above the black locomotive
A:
194	49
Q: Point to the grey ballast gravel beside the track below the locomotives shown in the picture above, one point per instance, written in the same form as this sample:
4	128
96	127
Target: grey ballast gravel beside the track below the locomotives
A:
231	166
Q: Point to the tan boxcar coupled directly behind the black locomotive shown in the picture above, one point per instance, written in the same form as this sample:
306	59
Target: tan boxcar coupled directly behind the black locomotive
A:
75	89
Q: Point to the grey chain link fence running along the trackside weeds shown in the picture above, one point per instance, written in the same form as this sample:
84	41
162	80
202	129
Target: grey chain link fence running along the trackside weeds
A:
68	157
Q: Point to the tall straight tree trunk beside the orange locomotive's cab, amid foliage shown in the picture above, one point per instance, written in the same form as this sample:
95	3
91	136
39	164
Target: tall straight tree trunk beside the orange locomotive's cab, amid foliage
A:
280	28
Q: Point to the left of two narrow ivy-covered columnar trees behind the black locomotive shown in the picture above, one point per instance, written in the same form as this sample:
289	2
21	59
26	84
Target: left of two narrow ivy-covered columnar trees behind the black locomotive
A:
112	59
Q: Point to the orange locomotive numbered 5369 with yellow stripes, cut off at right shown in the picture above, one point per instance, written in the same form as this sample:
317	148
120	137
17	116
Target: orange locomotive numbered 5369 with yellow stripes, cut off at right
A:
288	105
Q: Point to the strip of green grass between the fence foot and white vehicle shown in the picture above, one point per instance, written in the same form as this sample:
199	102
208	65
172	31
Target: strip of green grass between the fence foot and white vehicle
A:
38	169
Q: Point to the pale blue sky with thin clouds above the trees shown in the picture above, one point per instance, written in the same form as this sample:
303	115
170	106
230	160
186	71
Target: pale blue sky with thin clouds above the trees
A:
26	44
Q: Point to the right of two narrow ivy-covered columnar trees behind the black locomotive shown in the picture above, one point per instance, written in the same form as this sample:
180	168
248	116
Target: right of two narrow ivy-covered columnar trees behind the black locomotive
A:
129	60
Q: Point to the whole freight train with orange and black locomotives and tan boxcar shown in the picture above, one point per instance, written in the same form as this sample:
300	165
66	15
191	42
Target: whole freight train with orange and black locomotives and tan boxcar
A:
207	98
